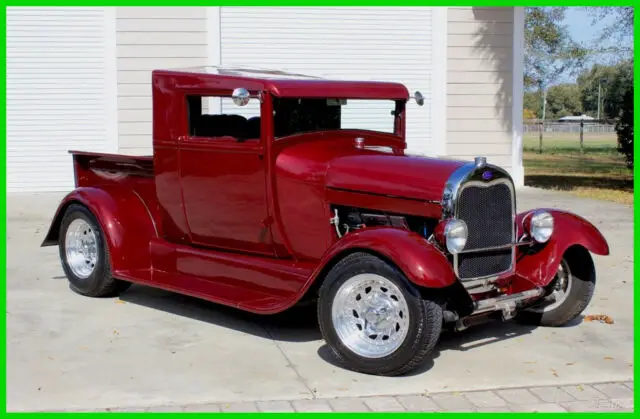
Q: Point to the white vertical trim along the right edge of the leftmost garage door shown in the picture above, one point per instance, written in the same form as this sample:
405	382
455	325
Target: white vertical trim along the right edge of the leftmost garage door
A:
111	80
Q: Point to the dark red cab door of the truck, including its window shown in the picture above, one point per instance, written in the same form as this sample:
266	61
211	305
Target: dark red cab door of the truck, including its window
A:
223	176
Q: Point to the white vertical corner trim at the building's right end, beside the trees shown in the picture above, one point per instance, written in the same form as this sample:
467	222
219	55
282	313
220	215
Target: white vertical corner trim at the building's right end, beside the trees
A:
518	93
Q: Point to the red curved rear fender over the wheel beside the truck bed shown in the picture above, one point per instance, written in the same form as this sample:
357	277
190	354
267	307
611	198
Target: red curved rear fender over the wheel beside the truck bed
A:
124	219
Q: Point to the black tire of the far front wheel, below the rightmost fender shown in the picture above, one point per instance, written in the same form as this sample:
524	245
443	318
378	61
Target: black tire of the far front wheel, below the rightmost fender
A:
577	261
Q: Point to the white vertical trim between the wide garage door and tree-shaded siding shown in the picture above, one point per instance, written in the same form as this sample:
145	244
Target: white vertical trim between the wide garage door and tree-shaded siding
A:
439	81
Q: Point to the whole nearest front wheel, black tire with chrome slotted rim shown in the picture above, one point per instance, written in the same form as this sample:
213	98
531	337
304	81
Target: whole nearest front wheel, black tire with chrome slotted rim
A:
374	320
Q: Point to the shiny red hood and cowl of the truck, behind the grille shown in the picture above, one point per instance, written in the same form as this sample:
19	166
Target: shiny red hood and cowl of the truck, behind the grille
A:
330	160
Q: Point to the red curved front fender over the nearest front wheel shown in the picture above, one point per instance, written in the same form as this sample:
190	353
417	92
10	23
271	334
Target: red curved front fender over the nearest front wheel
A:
421	262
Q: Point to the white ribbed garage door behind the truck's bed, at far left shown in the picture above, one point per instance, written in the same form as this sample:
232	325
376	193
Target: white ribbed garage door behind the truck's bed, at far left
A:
60	94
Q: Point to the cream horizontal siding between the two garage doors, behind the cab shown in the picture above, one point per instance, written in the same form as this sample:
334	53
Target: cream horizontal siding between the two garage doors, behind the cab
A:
149	38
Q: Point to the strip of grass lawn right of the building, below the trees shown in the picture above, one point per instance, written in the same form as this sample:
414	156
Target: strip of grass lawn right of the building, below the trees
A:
600	172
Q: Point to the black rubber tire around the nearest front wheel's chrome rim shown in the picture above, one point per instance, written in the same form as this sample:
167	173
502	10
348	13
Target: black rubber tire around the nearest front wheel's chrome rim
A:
425	318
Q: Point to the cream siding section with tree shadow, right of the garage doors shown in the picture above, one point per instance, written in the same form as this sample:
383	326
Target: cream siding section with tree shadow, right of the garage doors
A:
480	83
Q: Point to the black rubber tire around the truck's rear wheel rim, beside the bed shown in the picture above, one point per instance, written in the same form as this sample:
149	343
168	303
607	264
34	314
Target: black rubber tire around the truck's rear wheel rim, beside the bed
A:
99	283
